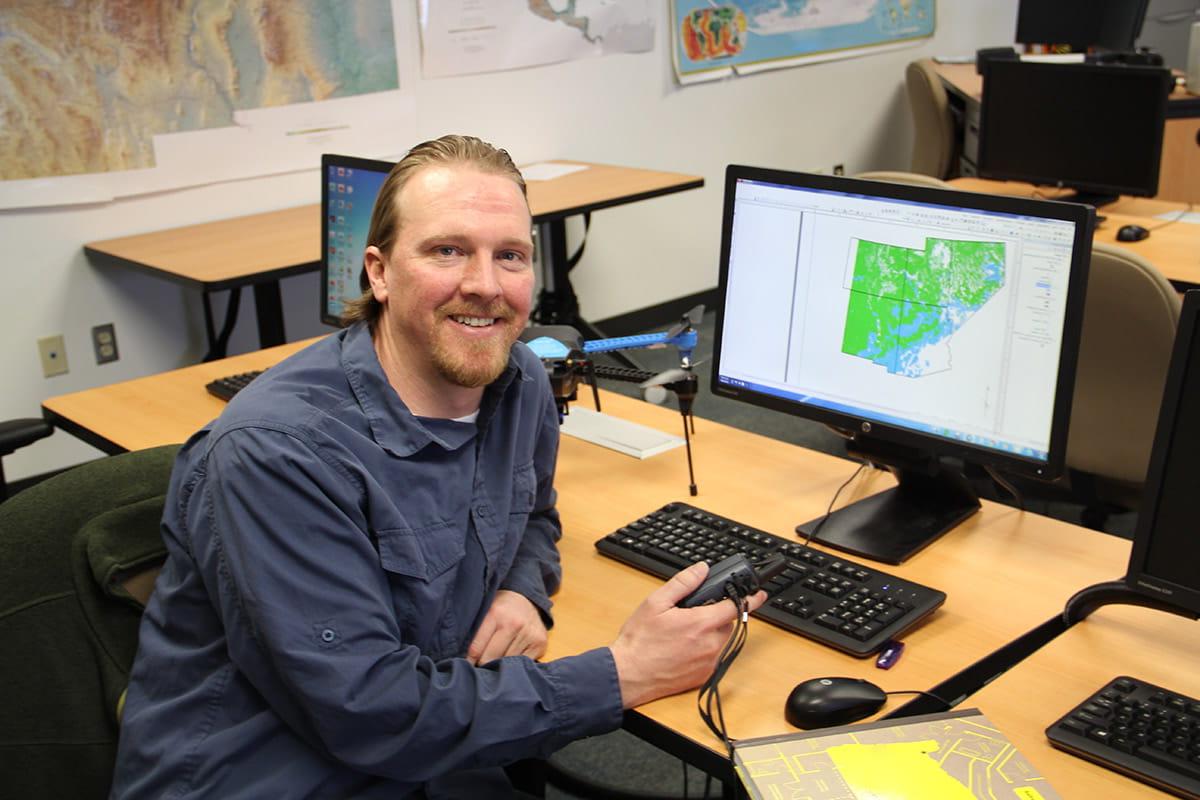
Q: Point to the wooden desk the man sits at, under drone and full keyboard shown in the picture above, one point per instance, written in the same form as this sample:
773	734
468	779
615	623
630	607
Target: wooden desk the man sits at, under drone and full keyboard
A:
995	592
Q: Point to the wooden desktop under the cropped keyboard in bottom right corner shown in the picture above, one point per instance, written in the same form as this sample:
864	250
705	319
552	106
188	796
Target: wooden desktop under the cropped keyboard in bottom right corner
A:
1118	640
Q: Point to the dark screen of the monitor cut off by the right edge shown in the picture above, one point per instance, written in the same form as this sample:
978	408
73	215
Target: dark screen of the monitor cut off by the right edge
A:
1166	561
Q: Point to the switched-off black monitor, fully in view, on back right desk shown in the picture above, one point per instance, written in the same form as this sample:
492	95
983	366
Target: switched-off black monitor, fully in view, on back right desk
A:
1096	129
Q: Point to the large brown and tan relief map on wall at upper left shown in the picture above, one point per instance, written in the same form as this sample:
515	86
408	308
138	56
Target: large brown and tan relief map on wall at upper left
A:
104	100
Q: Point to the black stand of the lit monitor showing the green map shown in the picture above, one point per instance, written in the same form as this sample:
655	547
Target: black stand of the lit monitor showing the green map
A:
897	524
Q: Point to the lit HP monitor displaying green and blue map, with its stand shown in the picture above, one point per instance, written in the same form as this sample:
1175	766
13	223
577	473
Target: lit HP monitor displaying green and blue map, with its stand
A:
927	326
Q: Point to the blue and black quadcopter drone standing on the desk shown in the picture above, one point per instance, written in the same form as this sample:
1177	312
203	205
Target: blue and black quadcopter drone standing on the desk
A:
568	362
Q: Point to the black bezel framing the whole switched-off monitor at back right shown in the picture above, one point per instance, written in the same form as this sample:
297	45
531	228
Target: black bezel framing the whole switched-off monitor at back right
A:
1155	153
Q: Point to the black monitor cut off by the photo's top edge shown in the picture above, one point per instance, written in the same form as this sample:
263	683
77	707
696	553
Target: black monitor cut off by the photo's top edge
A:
1082	25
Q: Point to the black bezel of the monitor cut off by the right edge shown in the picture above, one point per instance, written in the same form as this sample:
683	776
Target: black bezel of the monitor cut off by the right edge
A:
1138	576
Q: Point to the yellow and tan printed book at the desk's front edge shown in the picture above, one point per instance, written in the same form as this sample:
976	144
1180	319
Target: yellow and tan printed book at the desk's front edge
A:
952	756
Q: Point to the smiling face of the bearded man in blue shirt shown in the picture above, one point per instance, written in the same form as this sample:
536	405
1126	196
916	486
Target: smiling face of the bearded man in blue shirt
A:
458	284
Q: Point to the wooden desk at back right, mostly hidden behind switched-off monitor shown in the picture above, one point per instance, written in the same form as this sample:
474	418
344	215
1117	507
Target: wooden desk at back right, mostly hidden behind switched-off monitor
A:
1180	166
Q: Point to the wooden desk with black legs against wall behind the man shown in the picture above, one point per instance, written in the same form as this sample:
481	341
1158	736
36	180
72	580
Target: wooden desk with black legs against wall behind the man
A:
261	249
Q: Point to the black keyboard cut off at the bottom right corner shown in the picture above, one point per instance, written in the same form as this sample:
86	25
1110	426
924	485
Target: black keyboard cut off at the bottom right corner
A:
1141	730
